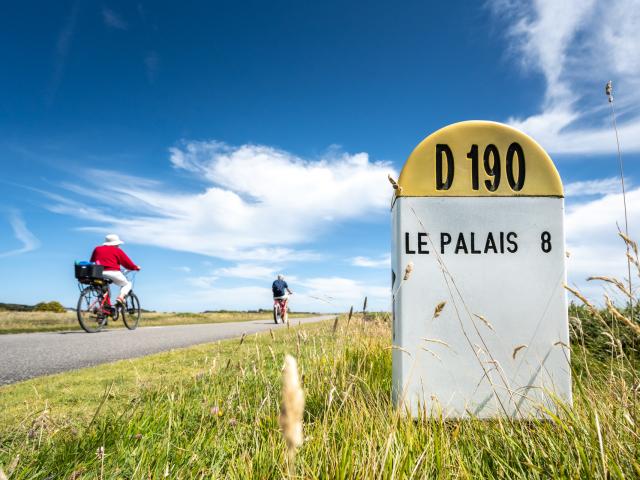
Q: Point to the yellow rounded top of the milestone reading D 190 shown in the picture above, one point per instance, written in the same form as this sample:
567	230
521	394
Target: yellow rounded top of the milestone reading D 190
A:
479	159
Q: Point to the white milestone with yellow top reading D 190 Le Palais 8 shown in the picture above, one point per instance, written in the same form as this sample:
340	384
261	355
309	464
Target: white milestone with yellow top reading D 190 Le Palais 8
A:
480	326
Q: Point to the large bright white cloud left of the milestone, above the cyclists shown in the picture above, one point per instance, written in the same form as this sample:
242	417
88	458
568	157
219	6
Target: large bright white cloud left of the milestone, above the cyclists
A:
259	204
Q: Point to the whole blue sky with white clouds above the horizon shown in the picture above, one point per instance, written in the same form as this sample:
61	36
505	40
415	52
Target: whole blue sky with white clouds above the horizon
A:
229	141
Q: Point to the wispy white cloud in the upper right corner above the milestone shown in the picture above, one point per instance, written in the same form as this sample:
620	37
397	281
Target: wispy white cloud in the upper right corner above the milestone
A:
578	45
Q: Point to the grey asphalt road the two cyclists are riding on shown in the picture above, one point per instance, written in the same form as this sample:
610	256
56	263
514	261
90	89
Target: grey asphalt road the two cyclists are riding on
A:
28	355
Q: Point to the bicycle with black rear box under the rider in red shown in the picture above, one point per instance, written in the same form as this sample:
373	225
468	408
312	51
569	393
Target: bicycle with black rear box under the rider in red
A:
94	305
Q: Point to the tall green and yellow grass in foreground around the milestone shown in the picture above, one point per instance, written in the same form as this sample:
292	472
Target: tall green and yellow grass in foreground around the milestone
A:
211	411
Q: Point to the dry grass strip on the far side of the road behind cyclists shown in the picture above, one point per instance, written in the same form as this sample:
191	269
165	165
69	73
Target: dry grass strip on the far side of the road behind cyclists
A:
25	322
